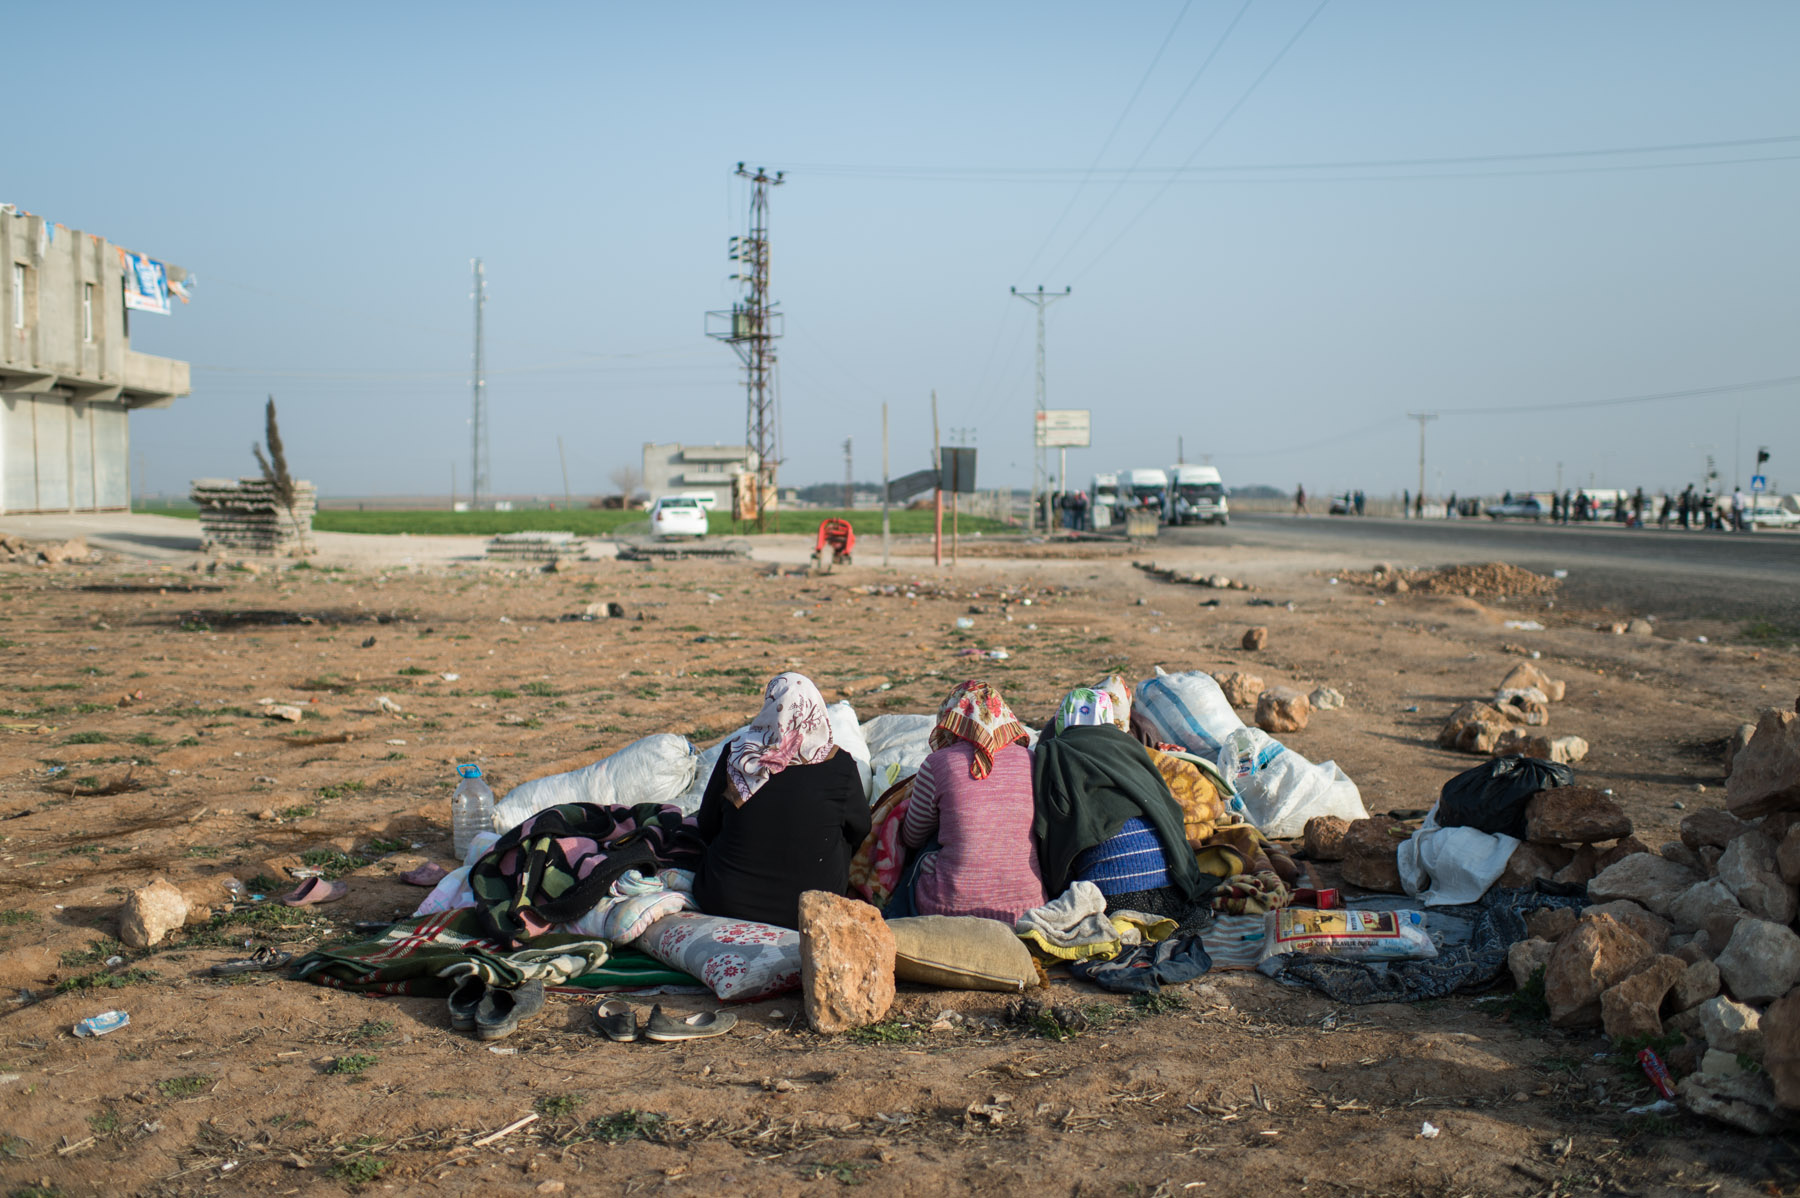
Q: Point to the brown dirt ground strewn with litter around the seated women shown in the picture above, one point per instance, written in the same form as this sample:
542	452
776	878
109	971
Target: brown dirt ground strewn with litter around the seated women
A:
1228	1086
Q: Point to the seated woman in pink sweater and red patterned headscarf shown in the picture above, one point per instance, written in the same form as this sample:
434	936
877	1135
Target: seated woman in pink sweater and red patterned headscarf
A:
971	814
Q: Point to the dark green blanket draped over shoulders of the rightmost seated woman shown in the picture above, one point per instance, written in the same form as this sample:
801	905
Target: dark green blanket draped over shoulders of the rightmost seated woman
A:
1088	782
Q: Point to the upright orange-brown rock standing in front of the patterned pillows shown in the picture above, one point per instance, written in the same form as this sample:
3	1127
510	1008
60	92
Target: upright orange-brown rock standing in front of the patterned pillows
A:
847	963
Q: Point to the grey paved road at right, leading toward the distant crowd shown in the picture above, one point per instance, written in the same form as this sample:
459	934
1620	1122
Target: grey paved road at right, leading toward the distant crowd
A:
1734	577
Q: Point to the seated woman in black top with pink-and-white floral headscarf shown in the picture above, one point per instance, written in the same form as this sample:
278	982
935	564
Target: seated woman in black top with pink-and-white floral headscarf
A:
782	814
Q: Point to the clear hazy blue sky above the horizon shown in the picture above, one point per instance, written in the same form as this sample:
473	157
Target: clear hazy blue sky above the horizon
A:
1286	226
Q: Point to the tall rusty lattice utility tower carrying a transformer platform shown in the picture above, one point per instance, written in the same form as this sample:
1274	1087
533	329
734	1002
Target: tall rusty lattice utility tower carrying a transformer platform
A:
751	330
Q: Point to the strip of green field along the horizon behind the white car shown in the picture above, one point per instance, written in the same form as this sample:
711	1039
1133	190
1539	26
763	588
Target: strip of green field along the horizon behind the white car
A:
595	523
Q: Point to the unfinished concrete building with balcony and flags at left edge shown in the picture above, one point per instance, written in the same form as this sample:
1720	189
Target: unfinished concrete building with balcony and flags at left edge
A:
69	377
